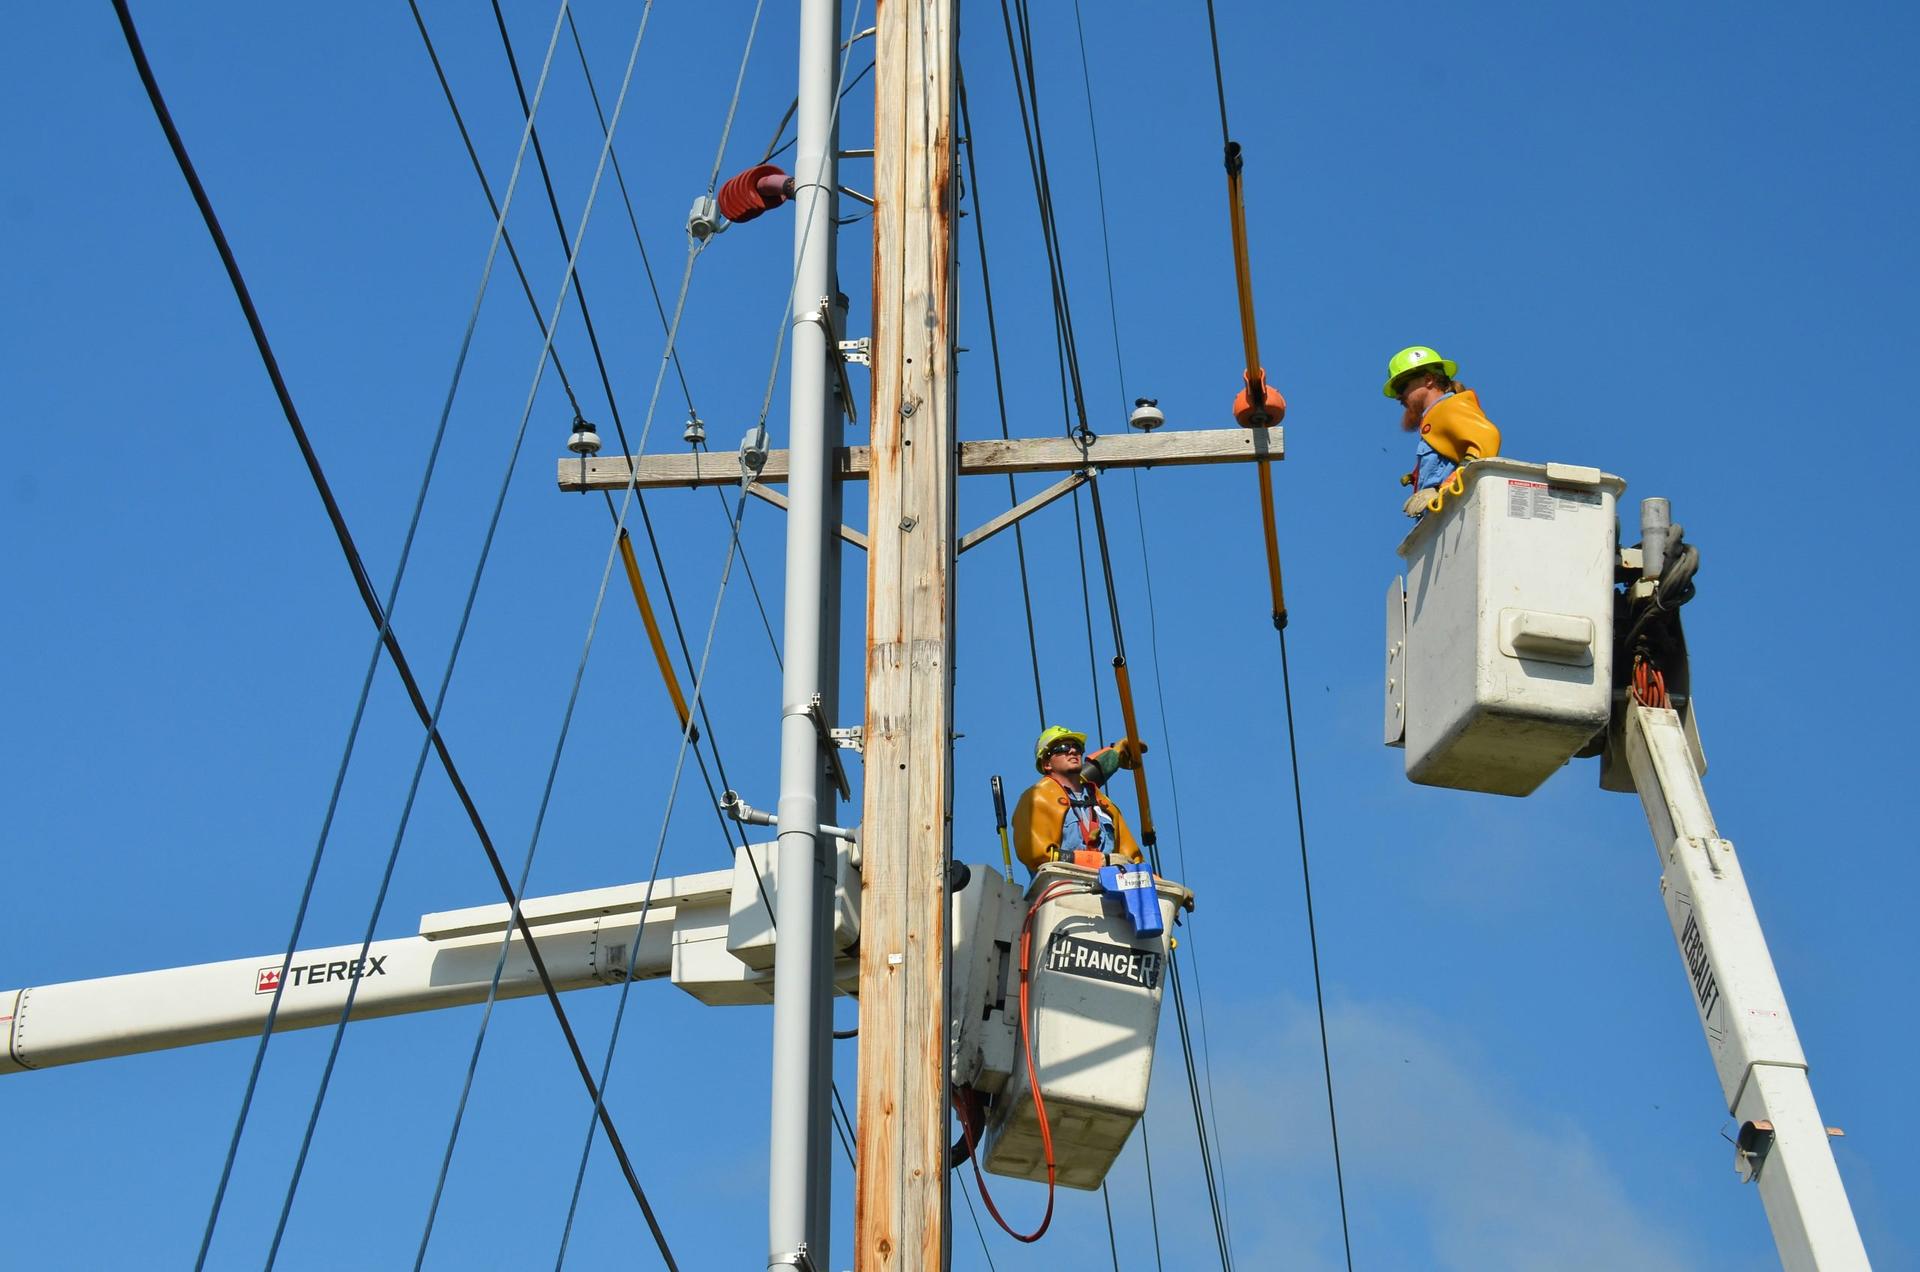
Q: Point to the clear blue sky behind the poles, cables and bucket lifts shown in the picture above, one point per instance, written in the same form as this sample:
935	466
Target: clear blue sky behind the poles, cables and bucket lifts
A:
1668	241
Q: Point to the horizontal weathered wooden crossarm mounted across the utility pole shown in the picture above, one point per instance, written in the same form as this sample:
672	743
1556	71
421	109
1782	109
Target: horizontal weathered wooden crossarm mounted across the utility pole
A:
1120	451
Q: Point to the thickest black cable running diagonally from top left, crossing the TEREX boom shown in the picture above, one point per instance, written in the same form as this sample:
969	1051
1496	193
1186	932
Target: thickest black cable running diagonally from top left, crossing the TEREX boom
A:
364	583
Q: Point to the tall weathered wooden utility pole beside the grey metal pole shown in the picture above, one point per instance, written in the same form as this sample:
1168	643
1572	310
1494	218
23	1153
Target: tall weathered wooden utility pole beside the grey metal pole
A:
901	1208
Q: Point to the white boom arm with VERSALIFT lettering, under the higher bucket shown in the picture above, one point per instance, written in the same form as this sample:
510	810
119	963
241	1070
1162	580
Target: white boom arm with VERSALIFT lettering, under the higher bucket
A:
1783	1142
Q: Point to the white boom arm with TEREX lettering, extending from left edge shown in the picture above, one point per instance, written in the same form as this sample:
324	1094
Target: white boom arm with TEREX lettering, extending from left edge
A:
711	933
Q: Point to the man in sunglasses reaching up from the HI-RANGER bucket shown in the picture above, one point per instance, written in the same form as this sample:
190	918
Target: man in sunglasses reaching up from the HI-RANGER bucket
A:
1065	814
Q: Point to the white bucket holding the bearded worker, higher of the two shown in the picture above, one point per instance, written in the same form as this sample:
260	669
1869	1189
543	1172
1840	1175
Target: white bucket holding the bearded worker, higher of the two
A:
1500	639
